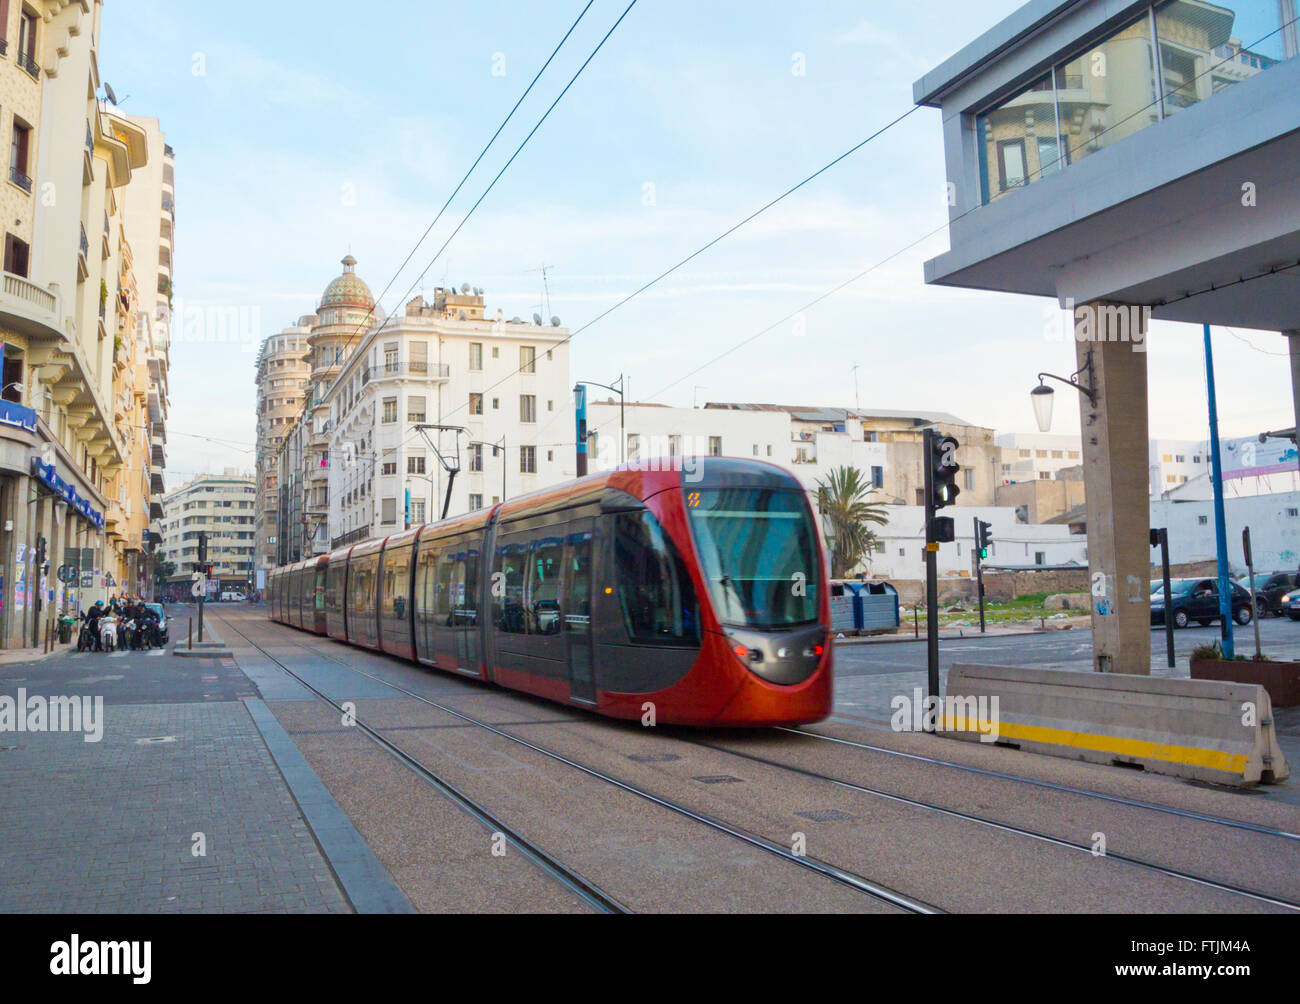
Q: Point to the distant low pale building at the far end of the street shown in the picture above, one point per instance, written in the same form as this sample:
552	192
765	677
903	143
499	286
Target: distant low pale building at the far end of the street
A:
224	507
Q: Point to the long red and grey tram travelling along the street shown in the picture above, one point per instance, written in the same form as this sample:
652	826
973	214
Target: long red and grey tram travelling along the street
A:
703	594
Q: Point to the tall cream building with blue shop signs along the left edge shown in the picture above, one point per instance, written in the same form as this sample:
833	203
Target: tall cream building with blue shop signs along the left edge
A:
76	451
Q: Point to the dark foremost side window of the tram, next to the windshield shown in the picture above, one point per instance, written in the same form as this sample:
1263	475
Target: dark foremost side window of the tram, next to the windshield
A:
656	595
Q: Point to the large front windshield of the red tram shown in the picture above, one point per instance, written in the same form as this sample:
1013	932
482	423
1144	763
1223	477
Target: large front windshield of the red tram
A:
759	551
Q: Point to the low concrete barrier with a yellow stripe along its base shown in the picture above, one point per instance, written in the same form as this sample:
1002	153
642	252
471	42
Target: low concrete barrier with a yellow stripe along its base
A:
1220	733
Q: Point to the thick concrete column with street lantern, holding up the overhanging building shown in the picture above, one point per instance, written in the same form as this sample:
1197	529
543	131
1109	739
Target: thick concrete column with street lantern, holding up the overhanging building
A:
1116	481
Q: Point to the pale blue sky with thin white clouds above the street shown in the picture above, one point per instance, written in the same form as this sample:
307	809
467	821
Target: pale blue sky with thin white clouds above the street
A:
310	139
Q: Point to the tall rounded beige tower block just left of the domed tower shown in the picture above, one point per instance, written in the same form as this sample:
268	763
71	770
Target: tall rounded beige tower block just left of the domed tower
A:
283	379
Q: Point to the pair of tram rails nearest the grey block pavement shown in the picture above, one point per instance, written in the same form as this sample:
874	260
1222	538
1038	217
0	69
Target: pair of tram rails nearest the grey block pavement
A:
593	895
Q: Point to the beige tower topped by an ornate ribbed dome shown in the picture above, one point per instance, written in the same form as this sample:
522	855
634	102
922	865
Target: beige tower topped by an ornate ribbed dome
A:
346	313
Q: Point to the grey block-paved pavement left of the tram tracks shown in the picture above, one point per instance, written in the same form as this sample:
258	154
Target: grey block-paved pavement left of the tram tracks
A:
115	826
